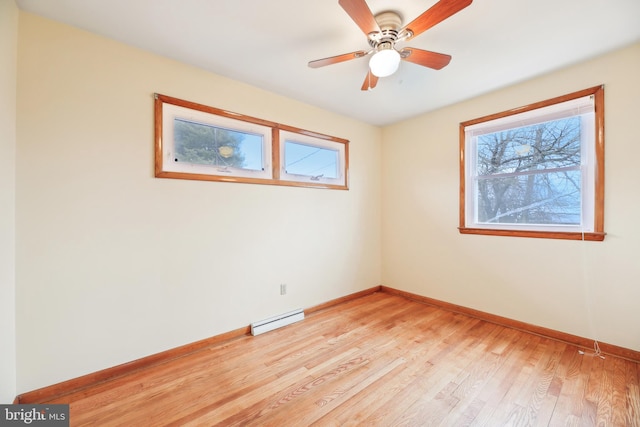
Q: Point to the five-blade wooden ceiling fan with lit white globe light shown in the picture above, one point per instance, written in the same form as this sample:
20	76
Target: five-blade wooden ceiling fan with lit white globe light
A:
384	30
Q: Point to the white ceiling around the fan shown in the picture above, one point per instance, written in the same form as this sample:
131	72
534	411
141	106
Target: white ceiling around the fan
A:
494	43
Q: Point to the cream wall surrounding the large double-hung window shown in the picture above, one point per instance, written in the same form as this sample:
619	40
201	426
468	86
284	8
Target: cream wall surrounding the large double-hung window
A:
590	289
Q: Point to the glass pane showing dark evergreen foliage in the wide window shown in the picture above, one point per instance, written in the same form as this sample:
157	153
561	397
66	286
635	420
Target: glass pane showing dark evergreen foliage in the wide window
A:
202	144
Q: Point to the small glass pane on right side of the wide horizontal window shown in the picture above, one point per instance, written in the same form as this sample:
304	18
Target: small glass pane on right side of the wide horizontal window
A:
310	160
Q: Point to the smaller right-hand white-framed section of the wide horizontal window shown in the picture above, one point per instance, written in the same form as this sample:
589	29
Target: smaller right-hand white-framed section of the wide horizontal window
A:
312	159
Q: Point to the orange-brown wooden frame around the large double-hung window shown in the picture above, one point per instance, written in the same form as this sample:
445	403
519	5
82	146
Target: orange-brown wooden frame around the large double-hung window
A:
598	233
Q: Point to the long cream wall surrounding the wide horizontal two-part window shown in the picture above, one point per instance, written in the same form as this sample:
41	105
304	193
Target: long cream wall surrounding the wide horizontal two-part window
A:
114	264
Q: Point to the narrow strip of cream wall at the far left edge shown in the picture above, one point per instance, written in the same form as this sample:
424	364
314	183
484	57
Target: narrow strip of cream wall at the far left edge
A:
8	68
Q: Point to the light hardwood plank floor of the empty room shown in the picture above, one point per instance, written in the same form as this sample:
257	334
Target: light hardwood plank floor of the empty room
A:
380	360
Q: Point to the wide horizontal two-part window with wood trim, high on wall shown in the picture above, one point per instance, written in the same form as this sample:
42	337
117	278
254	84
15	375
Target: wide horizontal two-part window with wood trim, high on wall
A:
194	141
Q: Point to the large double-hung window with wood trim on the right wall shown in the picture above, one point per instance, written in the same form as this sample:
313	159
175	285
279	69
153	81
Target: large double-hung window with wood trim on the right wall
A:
536	171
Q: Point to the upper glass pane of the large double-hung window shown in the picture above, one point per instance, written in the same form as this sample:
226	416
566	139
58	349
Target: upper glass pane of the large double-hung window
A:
550	145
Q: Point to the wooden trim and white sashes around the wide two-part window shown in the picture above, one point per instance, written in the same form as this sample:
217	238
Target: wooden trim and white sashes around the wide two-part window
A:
276	147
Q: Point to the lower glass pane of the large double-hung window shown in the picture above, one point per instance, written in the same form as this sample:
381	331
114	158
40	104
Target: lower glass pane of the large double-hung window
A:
541	198
